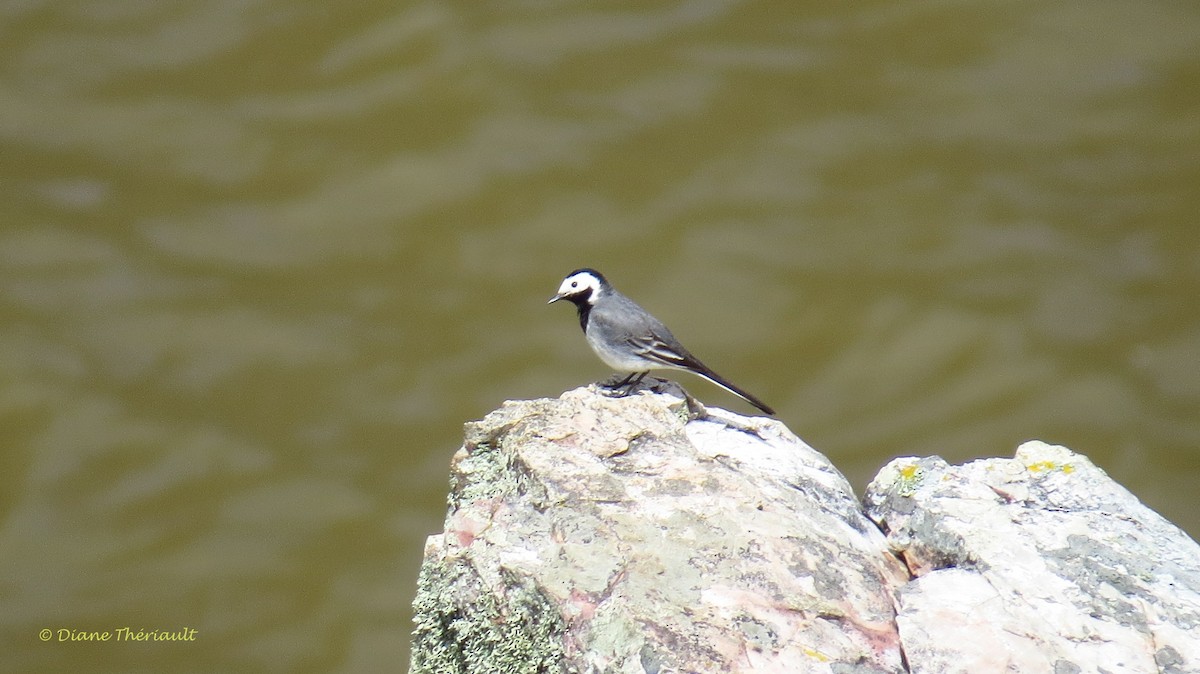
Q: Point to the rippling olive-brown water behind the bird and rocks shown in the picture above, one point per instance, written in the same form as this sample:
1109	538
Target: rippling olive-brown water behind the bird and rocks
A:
260	261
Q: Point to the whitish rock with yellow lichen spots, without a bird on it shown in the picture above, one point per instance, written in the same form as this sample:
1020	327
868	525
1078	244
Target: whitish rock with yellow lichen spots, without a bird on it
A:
1036	564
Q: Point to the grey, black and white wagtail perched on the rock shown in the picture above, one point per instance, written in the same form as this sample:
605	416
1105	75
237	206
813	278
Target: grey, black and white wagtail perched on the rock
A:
628	339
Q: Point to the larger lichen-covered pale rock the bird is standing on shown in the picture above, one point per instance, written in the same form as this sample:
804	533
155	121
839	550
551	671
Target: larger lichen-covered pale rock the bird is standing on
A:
649	535
